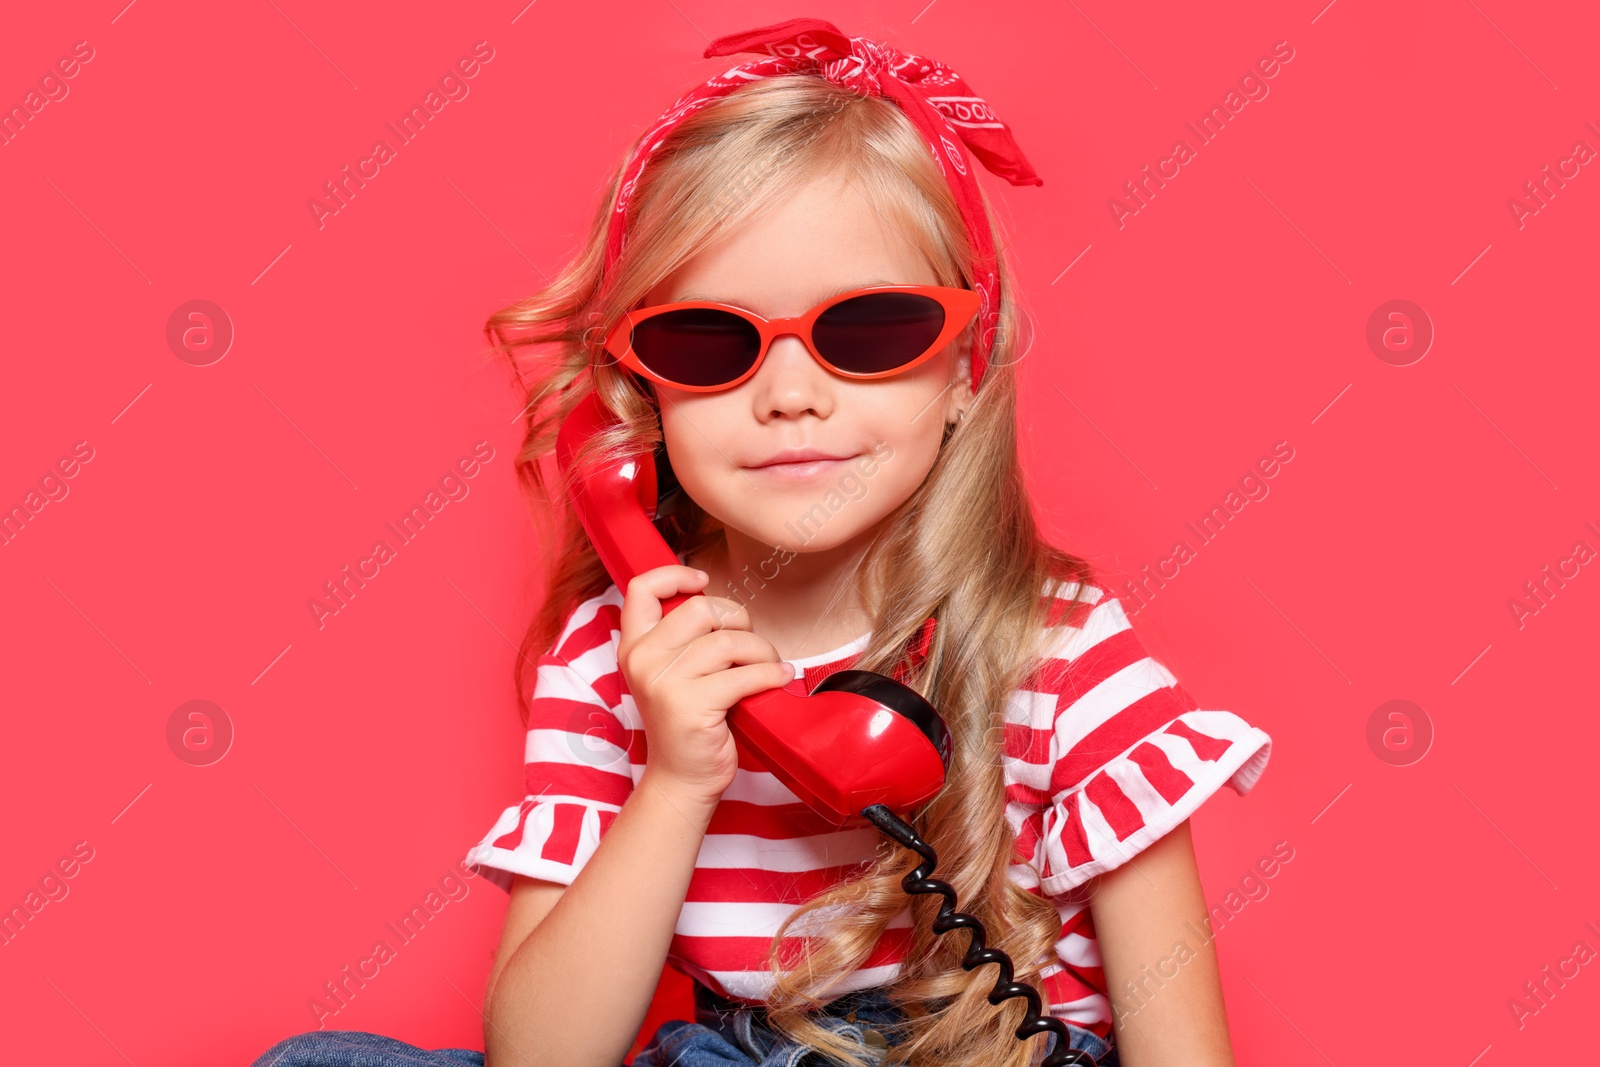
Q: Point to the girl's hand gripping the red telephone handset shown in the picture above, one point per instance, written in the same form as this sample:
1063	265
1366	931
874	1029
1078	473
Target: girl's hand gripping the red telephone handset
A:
686	671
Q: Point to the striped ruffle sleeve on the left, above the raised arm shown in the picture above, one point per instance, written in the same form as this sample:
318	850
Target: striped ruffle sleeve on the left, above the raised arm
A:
578	775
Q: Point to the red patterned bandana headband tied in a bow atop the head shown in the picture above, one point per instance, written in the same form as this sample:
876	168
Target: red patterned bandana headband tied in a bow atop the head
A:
940	103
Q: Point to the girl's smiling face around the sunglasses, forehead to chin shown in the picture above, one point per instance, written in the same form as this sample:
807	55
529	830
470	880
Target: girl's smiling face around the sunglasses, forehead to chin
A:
823	241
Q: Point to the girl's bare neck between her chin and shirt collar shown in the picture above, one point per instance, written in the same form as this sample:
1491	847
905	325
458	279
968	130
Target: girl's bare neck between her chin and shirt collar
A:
802	602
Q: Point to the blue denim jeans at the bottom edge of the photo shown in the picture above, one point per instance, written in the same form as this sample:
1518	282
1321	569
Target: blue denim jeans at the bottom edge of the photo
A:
724	1034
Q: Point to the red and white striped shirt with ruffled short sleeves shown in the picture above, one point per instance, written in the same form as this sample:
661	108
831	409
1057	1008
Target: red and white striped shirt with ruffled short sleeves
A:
1105	754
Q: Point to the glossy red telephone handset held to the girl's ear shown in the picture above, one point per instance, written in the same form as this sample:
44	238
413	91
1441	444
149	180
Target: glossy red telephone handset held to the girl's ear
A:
858	740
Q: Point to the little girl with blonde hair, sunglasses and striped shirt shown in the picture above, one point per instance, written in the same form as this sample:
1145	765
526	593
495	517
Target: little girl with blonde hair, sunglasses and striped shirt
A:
847	495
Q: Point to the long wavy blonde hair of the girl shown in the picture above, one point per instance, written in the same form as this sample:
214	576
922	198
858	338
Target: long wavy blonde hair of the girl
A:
964	548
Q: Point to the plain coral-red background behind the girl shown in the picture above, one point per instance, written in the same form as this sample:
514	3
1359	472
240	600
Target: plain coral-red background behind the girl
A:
1226	316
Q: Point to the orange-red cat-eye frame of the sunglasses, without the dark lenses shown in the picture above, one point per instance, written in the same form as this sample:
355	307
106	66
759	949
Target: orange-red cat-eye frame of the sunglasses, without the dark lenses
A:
961	306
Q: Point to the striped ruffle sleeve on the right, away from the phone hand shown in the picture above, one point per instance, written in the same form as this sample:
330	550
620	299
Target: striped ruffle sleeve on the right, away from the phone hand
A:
1132	753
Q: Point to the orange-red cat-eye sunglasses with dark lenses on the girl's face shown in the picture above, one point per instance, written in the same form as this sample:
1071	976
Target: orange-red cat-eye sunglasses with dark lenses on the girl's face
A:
866	334
